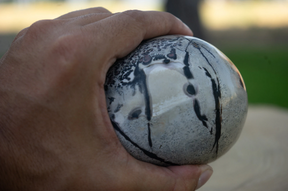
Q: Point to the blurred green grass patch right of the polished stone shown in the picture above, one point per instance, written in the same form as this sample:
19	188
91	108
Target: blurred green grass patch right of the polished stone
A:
265	72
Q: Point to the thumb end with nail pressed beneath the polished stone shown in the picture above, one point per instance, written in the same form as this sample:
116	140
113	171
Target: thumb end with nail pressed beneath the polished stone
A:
176	178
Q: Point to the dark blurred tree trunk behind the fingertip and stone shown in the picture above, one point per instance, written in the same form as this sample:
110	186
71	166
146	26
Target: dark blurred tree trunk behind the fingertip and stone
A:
188	12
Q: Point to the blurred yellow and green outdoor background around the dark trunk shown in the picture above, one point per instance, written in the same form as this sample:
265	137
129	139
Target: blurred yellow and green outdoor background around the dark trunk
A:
253	34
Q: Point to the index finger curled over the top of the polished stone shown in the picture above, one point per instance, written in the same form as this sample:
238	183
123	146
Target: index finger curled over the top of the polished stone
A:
126	30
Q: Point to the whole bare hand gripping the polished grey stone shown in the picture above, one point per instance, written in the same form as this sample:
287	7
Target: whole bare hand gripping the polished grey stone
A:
55	132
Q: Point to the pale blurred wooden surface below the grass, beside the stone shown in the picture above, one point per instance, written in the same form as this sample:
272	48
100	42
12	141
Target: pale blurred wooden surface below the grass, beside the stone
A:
259	159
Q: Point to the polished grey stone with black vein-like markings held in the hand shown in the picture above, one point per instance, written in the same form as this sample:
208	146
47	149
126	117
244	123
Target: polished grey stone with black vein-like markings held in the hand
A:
176	100
